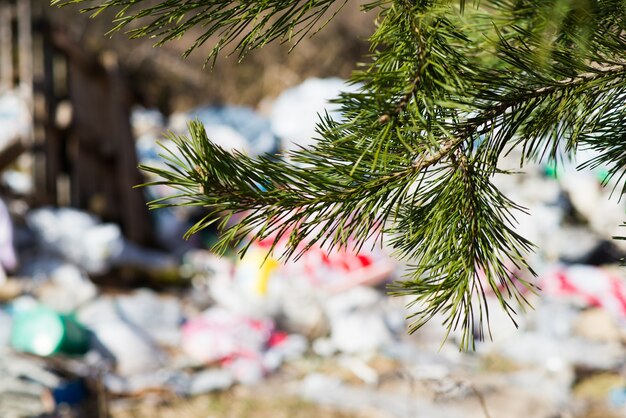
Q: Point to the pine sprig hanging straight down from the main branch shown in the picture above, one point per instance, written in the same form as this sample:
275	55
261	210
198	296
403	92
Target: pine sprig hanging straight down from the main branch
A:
455	251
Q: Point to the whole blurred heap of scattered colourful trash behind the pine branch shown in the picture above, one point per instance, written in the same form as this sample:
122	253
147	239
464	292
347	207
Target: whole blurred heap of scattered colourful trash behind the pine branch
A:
219	322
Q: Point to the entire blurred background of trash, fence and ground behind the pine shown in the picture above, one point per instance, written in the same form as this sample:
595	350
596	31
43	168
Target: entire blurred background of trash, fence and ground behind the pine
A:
105	311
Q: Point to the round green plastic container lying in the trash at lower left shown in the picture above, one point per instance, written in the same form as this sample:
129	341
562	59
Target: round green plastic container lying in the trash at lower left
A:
44	332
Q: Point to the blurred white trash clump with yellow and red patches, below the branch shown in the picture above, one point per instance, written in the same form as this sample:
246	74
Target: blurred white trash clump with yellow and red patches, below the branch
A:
294	292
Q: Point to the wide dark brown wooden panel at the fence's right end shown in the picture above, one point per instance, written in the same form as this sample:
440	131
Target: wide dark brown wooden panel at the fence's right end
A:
103	161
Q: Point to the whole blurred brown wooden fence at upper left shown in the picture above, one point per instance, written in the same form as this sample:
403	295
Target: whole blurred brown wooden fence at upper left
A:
82	148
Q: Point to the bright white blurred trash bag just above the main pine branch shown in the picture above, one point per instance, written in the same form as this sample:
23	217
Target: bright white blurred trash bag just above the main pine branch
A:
296	112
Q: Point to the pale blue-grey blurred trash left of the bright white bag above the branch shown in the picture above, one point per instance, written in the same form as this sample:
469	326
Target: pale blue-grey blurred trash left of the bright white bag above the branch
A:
231	127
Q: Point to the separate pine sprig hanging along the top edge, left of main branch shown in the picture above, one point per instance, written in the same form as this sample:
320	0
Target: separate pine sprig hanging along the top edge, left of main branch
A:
245	24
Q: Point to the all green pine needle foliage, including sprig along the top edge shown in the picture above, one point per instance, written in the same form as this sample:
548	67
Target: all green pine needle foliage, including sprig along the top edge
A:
446	92
